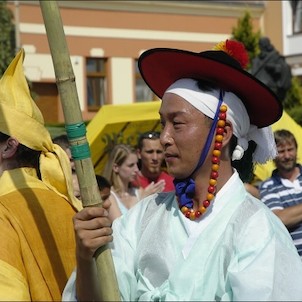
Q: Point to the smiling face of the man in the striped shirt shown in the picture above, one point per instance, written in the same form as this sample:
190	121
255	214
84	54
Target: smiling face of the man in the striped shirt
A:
287	157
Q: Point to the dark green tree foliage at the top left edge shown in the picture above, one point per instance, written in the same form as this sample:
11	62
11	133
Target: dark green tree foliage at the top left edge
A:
7	36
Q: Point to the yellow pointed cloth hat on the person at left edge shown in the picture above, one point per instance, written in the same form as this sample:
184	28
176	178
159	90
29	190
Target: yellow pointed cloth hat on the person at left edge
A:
19	115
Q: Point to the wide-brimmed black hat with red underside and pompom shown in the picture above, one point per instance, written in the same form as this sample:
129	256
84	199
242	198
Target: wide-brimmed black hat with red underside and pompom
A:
161	67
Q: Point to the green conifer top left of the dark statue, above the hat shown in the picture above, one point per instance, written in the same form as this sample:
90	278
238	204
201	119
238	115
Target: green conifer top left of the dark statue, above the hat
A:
244	33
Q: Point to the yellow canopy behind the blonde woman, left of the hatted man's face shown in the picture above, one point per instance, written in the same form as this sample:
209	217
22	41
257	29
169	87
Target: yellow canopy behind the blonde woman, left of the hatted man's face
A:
119	124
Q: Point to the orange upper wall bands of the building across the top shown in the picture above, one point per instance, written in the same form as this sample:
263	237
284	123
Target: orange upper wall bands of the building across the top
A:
125	20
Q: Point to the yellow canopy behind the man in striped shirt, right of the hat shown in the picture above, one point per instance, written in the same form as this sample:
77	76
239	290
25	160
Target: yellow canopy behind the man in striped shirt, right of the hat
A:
262	172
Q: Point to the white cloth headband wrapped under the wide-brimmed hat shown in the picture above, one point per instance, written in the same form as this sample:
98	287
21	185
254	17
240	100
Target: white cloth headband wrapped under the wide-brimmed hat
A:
207	103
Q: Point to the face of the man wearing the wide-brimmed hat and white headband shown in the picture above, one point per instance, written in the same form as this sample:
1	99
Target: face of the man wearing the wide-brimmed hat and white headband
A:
184	133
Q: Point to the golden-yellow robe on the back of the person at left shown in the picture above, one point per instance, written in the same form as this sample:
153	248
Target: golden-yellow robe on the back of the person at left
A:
37	245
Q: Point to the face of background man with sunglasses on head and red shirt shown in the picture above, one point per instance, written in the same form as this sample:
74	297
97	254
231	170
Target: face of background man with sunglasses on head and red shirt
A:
151	156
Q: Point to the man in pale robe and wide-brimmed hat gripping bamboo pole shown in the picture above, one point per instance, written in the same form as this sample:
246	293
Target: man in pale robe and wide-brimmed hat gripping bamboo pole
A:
210	240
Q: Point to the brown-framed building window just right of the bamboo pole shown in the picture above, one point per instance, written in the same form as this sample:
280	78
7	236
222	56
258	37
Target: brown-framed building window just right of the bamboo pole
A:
96	83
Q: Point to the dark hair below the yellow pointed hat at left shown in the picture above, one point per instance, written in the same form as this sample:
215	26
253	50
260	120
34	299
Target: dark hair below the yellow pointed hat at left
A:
25	156
